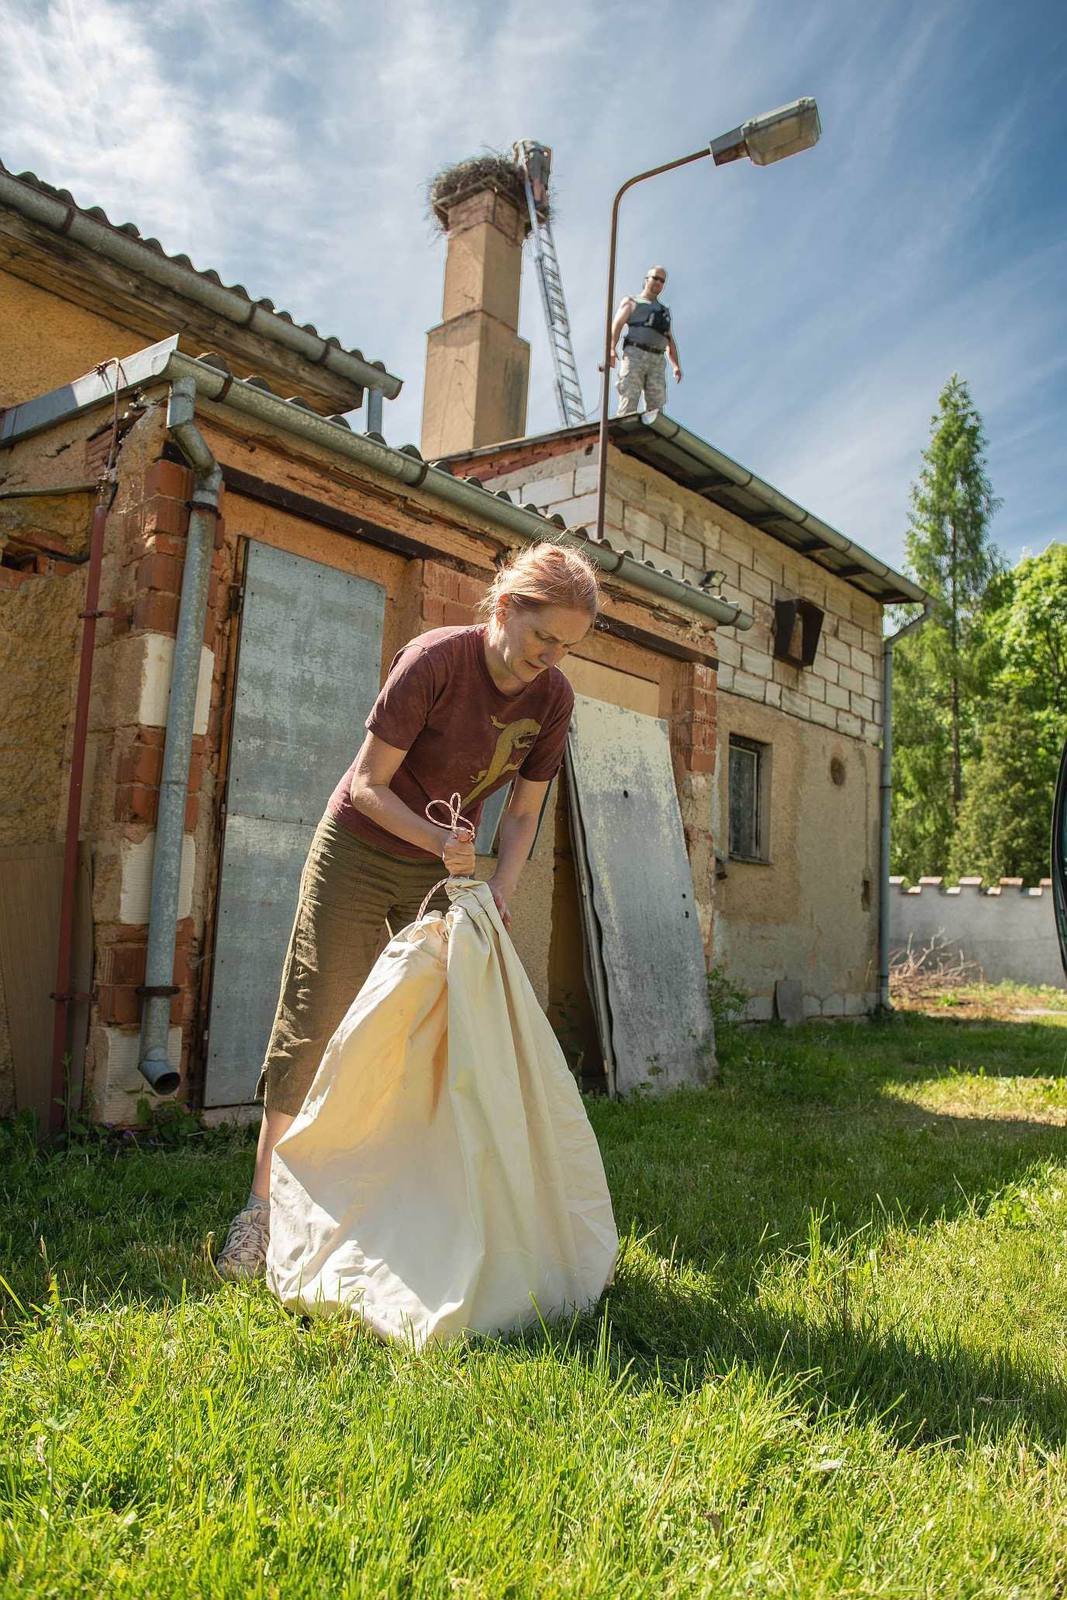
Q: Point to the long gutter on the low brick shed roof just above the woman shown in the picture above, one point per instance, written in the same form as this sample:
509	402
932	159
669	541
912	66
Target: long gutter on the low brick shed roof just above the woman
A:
164	362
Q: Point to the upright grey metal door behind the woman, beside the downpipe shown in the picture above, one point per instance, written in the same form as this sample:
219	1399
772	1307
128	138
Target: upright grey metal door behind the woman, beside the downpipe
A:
308	673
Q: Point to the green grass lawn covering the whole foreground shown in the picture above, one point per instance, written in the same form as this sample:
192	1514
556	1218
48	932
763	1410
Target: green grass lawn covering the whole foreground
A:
833	1362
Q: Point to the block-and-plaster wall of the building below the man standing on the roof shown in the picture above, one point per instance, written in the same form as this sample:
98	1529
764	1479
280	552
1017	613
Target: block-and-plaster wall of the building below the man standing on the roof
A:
812	911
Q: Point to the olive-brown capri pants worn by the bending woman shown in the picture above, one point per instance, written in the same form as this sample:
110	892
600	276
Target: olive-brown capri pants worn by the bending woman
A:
348	894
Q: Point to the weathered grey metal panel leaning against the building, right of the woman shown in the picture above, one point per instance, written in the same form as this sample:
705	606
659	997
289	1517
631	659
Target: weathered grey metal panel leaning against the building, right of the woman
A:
642	892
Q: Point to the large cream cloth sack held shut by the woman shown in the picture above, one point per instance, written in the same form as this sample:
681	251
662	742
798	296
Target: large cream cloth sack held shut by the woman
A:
442	1175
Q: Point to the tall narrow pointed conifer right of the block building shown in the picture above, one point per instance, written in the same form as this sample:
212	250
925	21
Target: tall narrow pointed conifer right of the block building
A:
943	670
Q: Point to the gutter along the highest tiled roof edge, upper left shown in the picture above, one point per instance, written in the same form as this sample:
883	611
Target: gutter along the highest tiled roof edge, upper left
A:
231	305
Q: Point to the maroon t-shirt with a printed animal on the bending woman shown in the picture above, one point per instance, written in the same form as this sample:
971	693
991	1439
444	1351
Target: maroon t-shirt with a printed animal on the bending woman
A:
462	734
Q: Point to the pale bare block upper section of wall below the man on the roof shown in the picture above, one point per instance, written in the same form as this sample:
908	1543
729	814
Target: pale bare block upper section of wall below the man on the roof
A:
674	529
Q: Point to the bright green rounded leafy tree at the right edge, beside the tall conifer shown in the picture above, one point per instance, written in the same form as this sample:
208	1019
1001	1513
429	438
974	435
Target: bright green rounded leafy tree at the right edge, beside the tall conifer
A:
1004	825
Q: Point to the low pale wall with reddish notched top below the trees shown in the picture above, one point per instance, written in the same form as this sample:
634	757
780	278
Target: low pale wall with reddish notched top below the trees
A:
1007	930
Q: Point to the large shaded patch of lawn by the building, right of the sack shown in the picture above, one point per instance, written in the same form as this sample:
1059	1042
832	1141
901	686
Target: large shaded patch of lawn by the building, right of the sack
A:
812	1119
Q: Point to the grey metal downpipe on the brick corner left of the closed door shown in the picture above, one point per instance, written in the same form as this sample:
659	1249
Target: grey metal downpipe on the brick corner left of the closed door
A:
159	978
